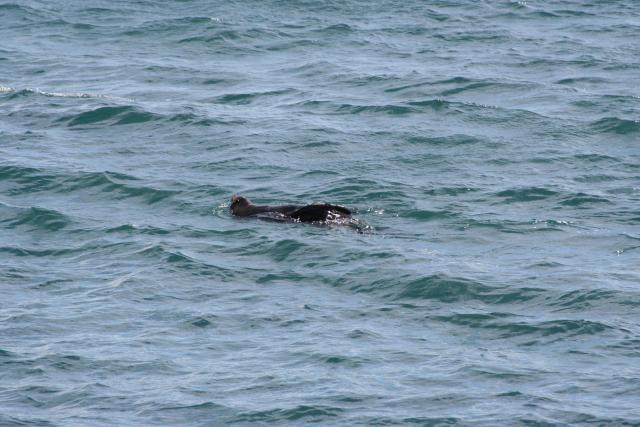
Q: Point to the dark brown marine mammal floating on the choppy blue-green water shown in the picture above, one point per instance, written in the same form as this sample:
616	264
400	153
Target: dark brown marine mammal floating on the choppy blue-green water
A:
316	212
